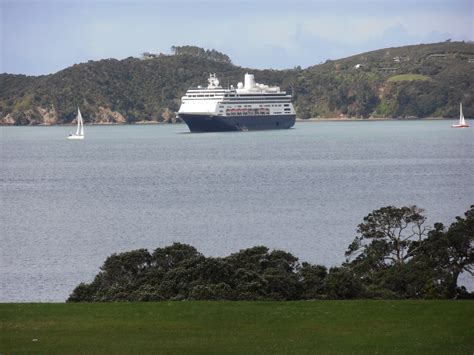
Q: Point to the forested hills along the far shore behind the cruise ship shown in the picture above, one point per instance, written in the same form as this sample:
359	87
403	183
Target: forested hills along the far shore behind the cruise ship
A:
427	80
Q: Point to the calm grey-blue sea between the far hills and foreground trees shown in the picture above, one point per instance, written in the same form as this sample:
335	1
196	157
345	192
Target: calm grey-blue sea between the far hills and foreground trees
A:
67	205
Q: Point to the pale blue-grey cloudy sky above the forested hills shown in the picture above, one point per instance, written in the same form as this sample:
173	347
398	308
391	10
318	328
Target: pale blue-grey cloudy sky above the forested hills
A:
42	37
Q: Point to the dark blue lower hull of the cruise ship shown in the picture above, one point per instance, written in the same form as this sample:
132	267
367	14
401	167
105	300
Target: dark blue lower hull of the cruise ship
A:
209	123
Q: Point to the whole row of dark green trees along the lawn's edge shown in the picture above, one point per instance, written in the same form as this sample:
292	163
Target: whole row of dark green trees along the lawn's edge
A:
393	257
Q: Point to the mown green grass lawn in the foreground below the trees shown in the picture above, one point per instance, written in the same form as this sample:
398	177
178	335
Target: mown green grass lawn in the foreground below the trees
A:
403	327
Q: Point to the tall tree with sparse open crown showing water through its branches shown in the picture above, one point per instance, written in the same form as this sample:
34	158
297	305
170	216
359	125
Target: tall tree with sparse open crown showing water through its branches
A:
388	239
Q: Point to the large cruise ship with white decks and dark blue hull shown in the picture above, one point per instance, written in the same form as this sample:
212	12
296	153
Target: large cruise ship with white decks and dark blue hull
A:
249	106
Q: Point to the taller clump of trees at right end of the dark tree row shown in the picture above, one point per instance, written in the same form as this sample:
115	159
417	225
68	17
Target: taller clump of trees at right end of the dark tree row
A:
396	259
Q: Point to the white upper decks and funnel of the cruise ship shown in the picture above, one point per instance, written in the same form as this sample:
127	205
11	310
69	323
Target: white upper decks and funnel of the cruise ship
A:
248	99
